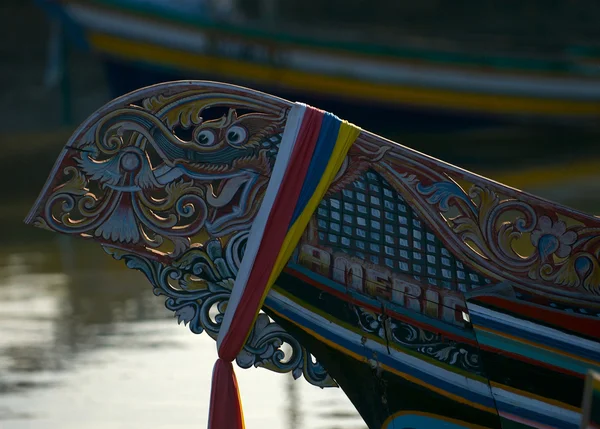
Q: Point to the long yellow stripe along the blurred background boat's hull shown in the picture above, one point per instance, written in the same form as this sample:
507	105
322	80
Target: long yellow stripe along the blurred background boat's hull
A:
339	86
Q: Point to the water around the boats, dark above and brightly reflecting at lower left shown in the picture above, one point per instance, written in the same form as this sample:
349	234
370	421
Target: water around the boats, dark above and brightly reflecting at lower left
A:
85	344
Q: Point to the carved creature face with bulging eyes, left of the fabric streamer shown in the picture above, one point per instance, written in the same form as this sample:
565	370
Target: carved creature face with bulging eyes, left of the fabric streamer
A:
156	177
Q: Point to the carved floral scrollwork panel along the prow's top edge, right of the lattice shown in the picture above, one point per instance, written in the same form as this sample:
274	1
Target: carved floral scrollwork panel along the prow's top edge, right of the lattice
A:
501	233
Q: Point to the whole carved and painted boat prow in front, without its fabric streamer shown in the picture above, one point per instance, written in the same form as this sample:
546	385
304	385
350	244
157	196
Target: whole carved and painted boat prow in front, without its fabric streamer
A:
431	295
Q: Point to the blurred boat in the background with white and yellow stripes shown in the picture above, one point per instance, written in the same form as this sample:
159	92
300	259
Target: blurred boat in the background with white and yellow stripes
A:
414	66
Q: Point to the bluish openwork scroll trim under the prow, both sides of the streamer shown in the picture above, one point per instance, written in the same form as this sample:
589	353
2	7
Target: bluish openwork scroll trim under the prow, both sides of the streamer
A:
198	286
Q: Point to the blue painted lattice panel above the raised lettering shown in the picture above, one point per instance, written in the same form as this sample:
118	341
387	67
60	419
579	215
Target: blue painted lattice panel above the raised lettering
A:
373	222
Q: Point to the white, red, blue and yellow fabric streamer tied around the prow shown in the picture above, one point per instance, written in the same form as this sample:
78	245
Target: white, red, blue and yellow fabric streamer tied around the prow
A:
313	147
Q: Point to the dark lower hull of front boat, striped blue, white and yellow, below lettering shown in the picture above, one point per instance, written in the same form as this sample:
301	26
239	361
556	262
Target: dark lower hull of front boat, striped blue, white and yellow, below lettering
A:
504	390
